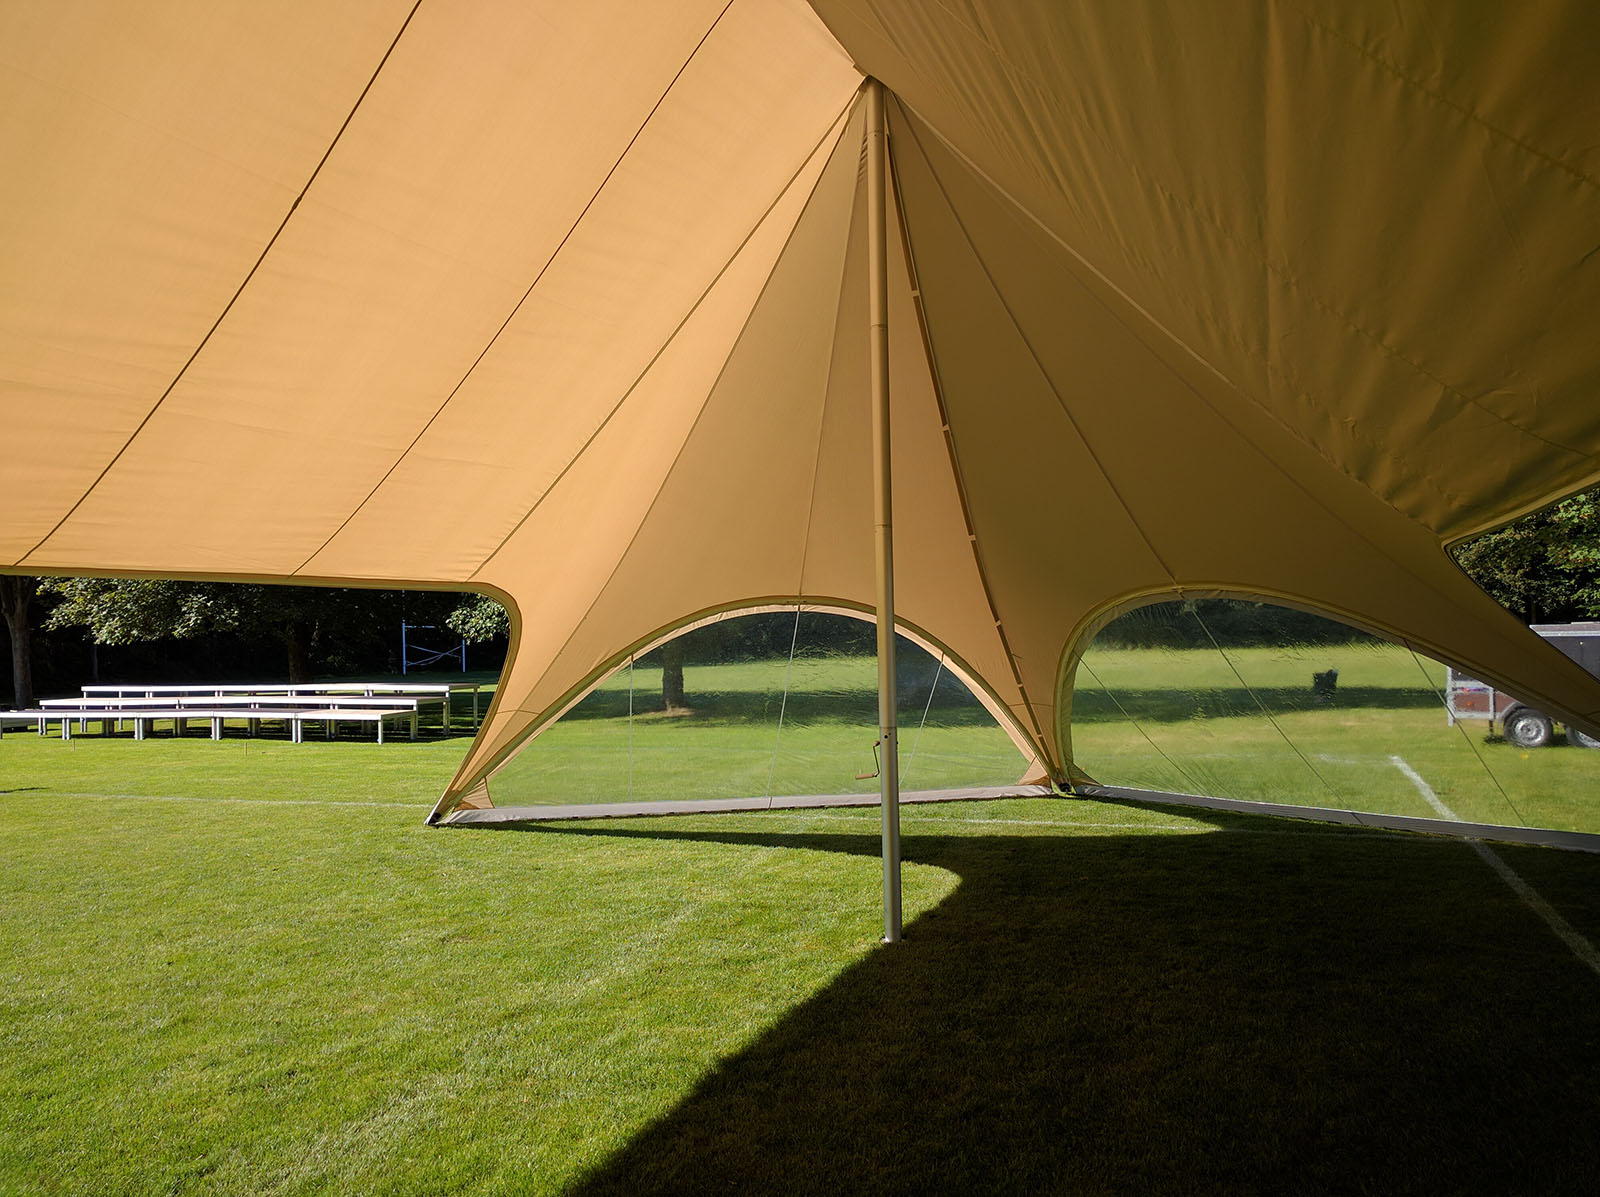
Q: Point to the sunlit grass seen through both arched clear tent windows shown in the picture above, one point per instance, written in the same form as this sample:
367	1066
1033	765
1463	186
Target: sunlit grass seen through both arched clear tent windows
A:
1246	726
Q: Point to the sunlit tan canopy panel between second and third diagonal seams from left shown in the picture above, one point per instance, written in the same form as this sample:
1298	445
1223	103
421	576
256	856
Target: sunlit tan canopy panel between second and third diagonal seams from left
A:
686	198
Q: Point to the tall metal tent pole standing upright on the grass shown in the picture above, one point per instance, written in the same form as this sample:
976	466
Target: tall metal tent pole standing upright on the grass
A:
882	503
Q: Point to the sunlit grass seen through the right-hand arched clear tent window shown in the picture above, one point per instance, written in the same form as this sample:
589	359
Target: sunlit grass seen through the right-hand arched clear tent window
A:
1247	726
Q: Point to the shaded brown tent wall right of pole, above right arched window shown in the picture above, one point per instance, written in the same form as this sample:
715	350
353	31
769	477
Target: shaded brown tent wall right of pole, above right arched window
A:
1222	495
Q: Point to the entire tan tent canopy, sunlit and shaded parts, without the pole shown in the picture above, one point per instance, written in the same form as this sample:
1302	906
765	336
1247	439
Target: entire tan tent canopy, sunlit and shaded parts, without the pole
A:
569	303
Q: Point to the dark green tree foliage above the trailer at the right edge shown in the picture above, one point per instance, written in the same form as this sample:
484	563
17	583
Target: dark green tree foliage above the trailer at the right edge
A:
1546	566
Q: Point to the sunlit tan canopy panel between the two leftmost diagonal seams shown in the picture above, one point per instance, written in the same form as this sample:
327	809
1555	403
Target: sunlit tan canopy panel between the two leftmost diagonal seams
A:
401	215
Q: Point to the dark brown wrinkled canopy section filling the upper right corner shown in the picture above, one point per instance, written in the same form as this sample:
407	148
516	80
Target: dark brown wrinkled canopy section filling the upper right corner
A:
1167	150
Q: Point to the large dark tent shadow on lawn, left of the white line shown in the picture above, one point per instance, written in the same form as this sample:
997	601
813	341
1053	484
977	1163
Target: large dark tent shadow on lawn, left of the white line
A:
1263	1012
